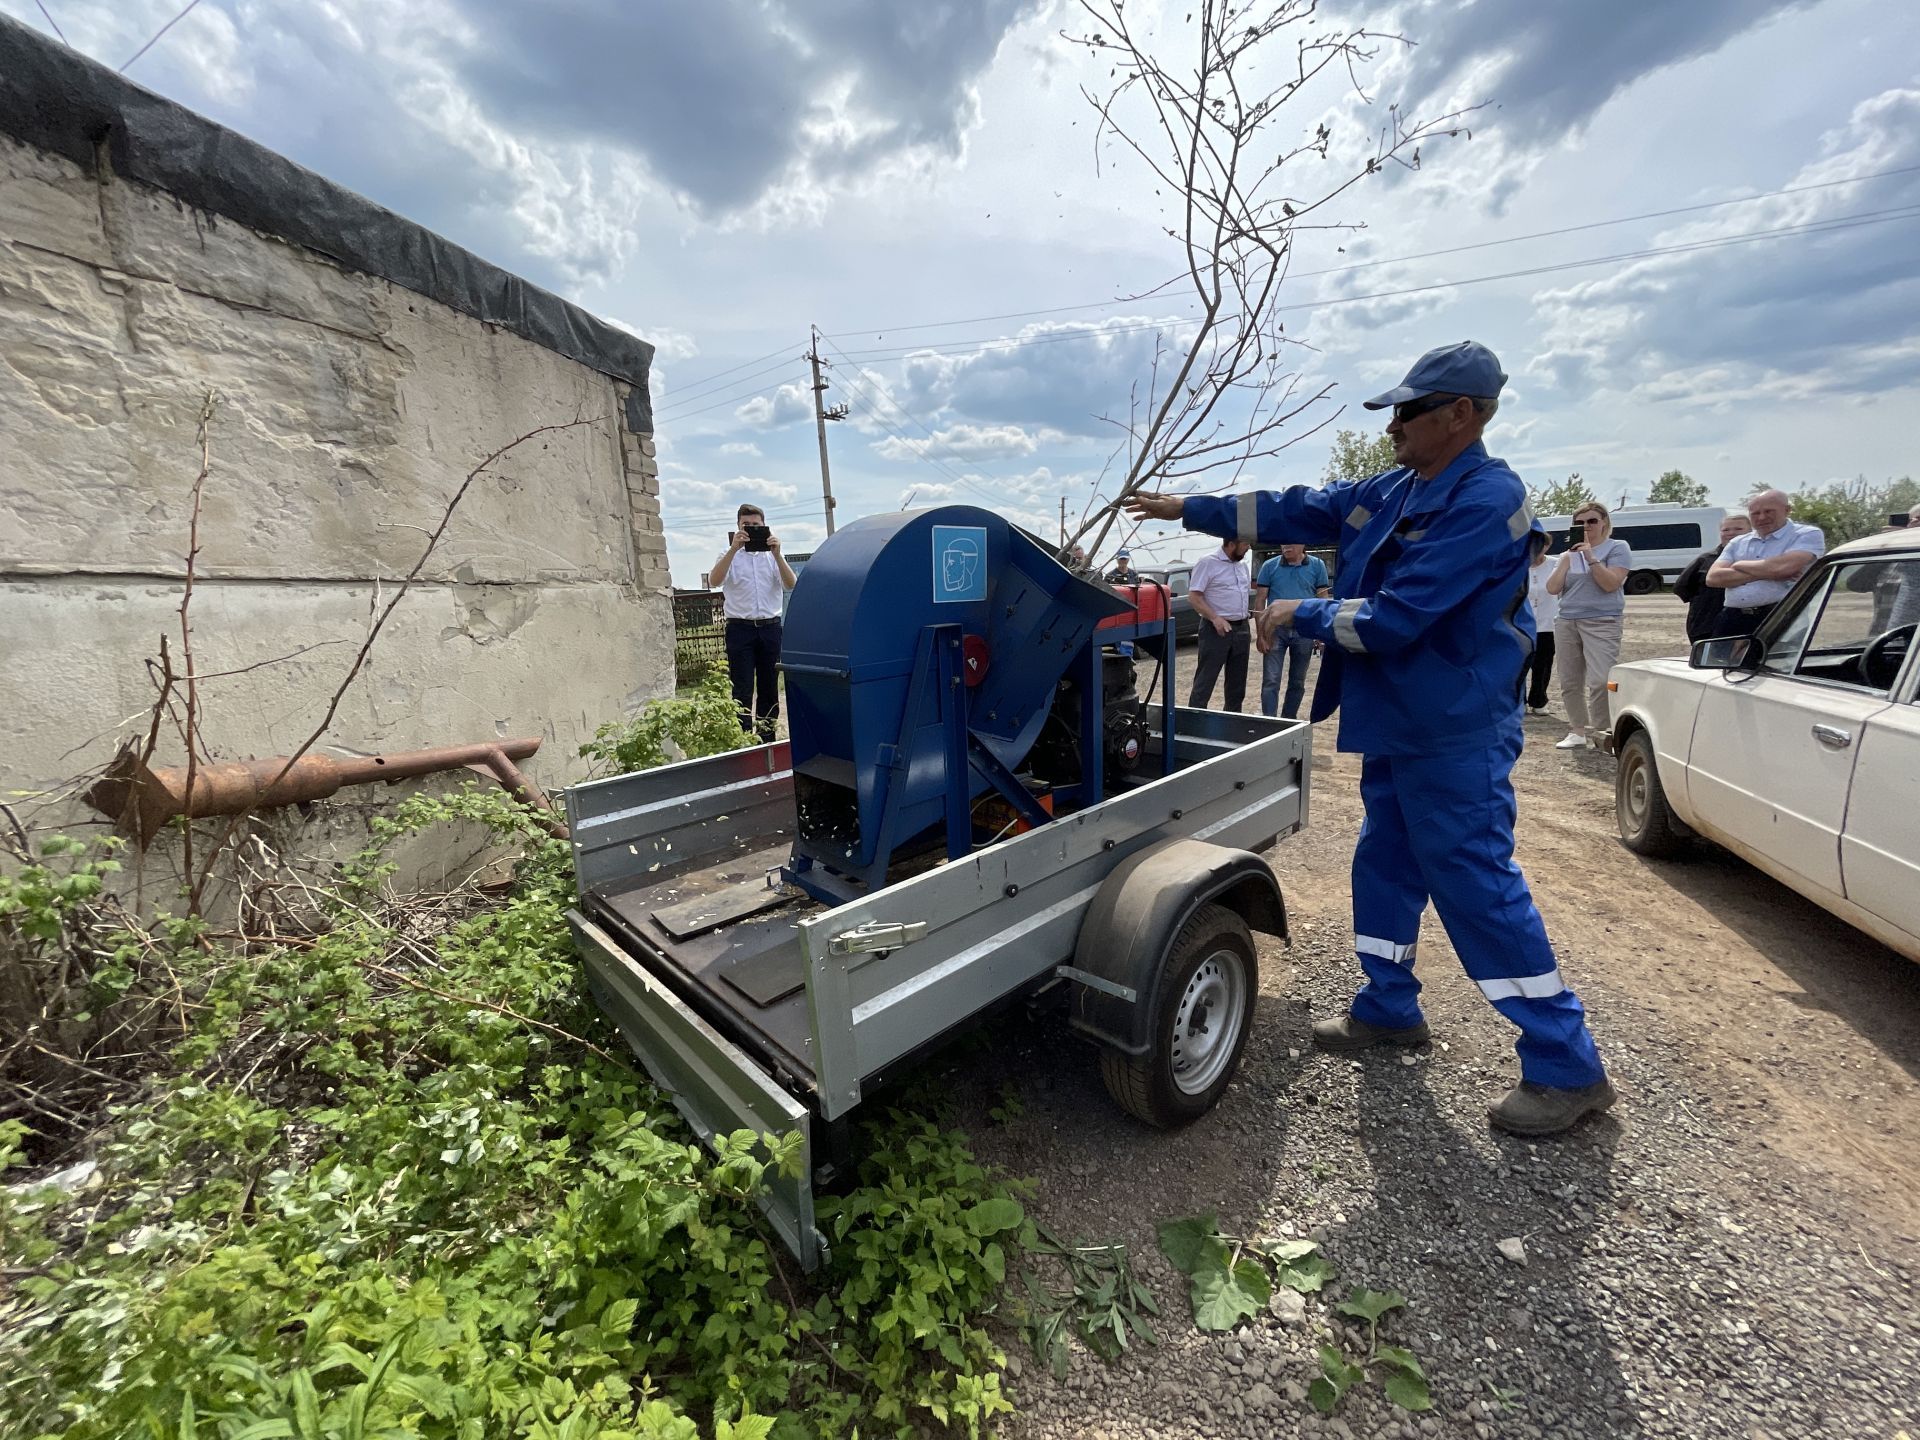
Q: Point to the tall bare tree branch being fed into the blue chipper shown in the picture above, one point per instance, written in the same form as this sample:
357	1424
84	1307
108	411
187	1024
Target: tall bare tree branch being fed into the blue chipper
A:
1207	132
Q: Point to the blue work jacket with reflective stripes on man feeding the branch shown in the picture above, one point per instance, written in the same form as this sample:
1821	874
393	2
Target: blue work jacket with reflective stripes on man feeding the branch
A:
1429	625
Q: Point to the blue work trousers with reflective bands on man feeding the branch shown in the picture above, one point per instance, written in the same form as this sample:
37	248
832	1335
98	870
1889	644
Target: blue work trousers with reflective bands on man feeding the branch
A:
1443	828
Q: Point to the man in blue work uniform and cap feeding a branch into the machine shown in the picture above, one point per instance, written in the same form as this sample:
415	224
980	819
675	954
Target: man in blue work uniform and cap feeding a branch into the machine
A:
1426	638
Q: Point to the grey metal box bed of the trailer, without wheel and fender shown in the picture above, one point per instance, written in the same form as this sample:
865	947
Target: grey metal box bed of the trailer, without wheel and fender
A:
757	1007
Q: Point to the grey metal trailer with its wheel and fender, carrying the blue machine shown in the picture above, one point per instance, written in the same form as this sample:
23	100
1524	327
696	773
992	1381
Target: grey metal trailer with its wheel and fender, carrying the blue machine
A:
757	1007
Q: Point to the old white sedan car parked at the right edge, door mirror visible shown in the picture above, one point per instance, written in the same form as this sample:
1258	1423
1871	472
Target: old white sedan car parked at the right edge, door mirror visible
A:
1800	748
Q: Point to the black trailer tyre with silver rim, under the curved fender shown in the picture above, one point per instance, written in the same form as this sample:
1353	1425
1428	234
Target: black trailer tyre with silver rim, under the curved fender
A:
1205	1013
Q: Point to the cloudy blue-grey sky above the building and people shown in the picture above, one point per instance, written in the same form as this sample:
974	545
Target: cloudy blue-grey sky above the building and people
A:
1733	191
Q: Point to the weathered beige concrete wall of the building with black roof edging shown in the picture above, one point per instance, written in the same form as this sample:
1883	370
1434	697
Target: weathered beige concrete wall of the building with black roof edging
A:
347	414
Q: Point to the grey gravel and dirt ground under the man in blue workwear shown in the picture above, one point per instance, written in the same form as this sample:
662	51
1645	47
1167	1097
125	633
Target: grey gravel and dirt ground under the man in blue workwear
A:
1731	1253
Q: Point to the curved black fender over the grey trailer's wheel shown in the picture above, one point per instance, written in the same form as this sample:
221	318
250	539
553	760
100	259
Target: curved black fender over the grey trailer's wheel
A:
1124	942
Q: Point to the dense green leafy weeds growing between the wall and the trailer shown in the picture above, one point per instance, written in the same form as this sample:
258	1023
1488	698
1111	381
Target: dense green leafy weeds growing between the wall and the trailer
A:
400	1180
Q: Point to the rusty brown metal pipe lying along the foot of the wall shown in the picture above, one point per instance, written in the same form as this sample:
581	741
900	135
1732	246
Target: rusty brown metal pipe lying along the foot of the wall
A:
143	800
